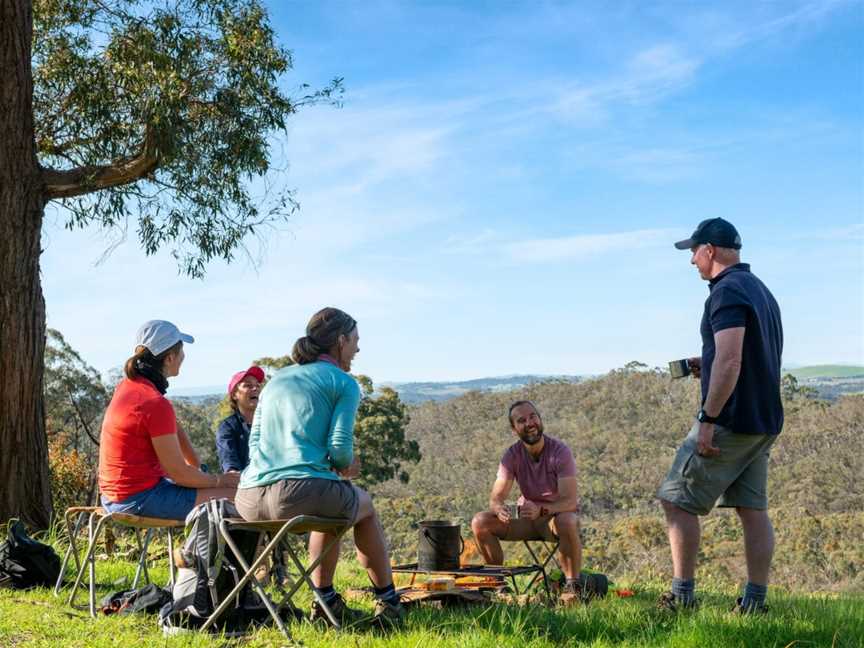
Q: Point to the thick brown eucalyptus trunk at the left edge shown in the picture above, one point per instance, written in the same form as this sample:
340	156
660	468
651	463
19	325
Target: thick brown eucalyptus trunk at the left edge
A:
24	483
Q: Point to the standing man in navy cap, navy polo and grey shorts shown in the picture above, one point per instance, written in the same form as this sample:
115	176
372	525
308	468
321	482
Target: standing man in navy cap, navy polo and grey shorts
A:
725	456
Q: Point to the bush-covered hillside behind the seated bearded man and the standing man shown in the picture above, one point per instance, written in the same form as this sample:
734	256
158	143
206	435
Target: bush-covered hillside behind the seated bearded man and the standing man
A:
624	429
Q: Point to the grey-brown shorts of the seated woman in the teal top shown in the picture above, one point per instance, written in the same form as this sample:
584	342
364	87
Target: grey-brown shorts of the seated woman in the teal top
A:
289	497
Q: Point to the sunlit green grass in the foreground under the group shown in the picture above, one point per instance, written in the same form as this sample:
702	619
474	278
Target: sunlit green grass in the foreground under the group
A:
37	618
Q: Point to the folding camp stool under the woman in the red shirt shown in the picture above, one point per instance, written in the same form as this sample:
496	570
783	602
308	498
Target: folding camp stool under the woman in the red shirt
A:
101	517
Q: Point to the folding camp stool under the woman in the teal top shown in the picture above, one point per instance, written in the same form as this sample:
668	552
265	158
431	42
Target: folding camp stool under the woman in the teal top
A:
277	530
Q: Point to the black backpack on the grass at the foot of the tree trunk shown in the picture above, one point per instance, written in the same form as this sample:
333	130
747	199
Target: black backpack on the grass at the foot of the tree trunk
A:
27	562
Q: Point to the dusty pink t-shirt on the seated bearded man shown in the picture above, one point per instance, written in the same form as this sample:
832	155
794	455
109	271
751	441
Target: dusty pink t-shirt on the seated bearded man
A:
538	480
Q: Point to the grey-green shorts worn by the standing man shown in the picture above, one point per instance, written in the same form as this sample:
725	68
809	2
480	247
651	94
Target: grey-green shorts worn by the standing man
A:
738	476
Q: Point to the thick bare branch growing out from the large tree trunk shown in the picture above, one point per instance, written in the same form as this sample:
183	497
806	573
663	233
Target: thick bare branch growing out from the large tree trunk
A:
87	179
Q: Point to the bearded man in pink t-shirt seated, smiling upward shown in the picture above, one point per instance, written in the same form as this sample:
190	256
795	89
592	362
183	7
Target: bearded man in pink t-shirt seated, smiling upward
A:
549	506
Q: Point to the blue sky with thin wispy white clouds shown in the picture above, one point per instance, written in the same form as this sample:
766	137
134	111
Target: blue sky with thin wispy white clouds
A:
501	190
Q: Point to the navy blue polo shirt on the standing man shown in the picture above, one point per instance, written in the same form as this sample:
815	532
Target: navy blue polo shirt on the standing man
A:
738	298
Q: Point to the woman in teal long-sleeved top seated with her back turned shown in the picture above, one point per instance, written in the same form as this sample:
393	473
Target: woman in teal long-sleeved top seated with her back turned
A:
301	458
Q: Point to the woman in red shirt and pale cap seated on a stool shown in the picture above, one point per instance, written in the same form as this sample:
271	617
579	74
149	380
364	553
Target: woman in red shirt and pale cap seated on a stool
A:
147	465
